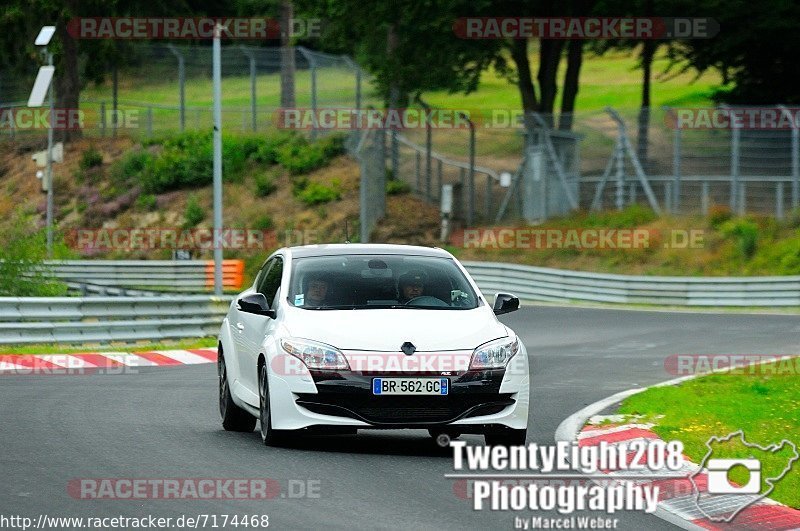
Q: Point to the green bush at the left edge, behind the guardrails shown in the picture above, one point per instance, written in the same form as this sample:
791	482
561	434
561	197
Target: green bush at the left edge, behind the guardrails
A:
22	269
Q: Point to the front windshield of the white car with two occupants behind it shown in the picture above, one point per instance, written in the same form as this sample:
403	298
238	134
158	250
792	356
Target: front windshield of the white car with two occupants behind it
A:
352	282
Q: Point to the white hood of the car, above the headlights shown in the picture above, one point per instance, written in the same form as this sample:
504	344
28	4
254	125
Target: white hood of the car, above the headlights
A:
385	330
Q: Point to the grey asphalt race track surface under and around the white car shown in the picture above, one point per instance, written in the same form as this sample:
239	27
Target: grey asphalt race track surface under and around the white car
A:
163	423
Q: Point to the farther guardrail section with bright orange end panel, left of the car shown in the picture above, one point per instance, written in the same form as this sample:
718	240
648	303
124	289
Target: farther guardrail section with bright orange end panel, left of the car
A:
175	275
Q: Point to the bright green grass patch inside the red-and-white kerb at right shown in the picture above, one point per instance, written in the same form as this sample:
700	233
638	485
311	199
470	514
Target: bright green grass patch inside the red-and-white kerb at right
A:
764	403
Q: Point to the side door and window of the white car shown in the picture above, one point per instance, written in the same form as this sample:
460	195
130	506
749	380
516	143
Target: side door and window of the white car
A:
252	329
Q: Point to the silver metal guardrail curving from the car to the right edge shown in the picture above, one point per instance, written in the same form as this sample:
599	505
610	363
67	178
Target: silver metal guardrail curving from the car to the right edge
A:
555	285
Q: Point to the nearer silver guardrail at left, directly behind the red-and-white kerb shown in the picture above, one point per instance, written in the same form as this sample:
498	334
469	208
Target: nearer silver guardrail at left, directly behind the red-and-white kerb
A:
105	319
